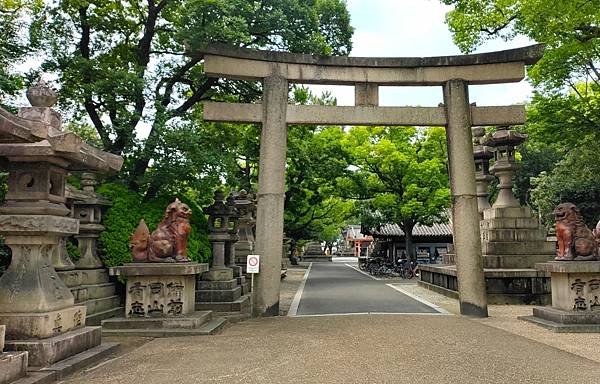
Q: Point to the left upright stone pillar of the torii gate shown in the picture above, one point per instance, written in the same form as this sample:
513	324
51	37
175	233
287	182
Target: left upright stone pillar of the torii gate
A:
271	190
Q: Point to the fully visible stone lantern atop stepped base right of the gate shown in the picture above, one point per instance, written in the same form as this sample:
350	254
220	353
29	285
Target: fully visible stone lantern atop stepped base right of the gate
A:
504	142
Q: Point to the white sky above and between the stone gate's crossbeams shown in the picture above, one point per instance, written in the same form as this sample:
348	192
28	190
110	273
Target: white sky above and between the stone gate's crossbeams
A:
396	28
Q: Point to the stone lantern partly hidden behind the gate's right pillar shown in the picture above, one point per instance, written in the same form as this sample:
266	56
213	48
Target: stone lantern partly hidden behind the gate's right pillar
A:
482	155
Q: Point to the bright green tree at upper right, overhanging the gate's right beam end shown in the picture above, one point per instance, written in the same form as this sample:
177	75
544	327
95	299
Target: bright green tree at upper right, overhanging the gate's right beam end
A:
563	118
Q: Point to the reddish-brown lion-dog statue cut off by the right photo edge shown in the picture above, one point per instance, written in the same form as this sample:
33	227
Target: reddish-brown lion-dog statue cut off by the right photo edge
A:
575	240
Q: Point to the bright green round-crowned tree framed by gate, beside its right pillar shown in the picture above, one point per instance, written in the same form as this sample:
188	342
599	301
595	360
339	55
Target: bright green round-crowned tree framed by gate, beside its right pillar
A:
400	176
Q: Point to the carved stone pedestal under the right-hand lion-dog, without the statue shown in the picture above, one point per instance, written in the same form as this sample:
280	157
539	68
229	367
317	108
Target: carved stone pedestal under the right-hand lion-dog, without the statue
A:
575	297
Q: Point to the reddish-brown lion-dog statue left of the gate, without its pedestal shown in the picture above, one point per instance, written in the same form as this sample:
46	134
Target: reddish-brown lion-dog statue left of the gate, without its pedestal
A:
168	243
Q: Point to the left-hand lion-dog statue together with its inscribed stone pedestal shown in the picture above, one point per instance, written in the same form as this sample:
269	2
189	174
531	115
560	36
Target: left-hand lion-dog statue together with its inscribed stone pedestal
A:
161	284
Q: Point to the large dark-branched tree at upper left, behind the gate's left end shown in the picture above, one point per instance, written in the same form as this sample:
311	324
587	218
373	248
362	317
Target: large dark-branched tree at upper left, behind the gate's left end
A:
123	64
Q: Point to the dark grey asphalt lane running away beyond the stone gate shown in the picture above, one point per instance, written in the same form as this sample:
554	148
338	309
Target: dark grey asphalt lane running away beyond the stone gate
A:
335	288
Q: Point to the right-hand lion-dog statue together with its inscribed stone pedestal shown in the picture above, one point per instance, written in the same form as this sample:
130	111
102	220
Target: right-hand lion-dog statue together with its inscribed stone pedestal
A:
575	276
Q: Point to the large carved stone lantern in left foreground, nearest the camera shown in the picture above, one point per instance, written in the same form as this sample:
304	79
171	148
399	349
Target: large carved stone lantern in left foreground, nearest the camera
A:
34	302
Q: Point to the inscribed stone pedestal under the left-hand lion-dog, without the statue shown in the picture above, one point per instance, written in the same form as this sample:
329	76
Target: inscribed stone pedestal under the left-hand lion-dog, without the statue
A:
160	302
